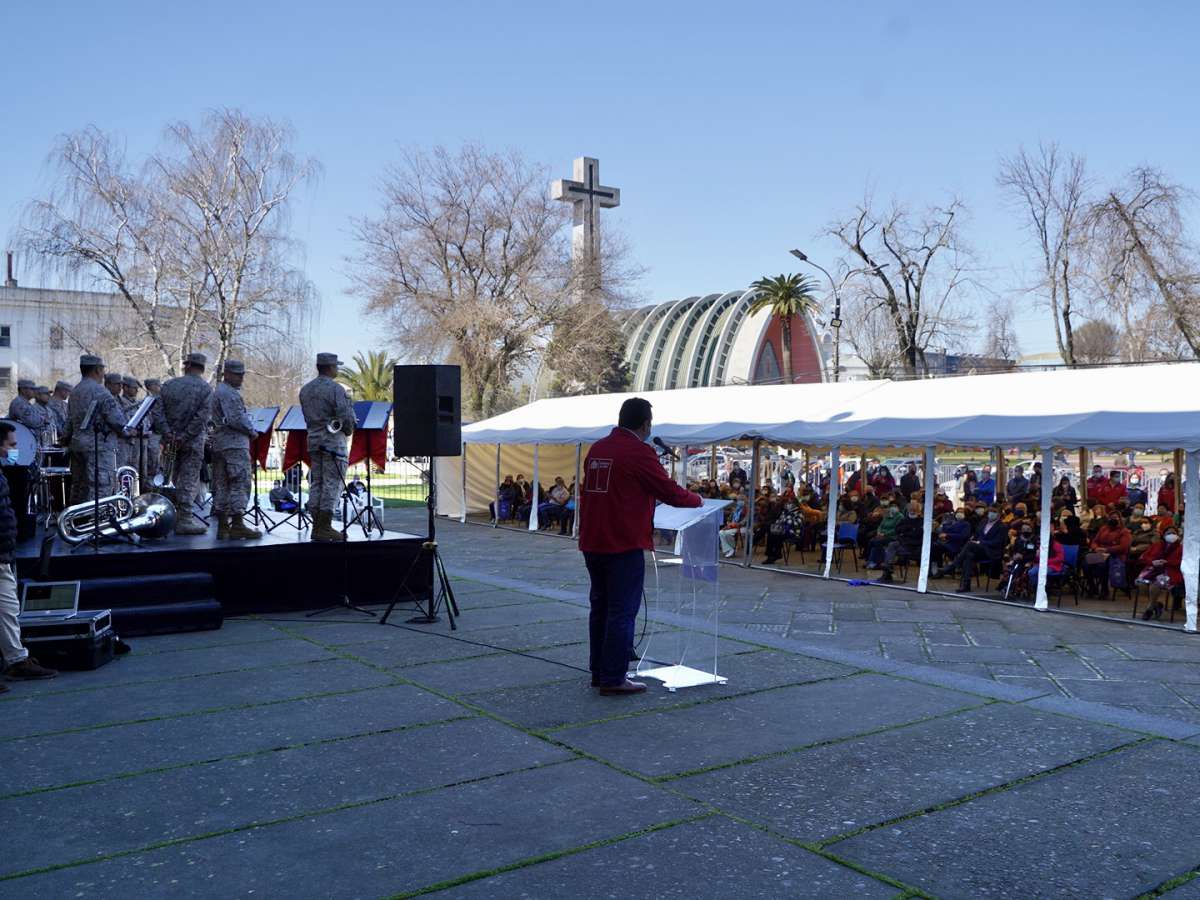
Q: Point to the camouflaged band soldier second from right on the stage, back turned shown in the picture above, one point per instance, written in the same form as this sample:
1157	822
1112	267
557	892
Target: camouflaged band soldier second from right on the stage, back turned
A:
232	434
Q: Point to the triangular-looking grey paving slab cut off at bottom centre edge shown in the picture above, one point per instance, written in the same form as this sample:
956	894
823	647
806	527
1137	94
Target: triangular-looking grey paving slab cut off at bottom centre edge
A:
711	860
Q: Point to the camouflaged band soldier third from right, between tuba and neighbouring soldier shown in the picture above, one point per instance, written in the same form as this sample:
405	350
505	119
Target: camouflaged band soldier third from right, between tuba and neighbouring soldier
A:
188	405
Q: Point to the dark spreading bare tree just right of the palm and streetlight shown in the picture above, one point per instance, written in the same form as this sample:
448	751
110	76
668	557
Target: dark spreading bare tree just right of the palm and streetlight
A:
914	267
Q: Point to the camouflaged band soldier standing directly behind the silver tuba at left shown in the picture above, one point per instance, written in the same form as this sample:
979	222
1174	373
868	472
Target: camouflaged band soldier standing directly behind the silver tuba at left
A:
107	422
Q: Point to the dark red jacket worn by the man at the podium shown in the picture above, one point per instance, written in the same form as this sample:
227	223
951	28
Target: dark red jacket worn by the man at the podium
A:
622	479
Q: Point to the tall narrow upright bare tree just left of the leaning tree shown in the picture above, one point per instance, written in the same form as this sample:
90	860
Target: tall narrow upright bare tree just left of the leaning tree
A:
1051	190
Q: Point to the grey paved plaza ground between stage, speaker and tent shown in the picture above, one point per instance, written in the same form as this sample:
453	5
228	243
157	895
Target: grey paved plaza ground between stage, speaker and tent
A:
869	743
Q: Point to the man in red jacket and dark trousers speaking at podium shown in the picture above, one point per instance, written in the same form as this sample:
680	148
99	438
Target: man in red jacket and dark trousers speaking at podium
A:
622	483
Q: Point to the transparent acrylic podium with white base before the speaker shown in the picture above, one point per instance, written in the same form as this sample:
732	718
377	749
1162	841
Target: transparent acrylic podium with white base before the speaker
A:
687	586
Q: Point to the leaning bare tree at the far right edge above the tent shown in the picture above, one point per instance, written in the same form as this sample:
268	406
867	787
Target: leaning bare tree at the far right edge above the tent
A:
1142	242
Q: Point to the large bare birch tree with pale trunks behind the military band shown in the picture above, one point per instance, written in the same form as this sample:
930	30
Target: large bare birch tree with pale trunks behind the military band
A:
195	239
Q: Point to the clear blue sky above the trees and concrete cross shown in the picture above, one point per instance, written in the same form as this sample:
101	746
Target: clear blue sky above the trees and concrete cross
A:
735	131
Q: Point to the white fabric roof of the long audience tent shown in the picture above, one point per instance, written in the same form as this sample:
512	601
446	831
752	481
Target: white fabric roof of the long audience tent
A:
1155	406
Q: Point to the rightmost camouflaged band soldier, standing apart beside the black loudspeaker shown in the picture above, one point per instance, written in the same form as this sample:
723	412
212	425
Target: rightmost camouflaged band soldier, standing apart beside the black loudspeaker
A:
323	400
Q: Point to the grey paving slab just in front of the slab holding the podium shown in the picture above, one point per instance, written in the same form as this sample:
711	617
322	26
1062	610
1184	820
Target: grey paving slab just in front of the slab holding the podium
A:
737	729
